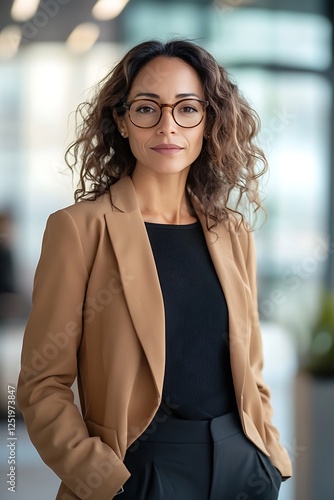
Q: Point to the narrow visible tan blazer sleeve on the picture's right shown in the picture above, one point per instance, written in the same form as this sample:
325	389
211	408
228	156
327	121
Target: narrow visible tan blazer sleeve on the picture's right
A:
277	452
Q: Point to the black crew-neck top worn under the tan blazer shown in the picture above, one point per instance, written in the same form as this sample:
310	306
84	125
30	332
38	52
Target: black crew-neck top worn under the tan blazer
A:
198	381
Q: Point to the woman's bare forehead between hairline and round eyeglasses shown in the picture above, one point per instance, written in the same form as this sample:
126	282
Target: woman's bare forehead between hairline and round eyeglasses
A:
167	76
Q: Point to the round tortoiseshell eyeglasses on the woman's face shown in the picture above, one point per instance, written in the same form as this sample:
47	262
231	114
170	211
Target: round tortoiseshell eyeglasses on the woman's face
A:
146	113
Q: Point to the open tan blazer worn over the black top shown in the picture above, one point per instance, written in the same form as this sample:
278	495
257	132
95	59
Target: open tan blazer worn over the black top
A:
98	315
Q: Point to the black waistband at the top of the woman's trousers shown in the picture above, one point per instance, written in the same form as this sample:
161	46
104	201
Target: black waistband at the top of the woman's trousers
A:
170	429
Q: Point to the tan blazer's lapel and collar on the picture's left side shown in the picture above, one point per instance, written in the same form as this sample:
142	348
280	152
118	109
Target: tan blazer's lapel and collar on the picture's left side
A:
138	273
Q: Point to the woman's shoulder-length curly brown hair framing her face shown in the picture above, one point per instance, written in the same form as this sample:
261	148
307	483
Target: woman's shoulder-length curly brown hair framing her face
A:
227	171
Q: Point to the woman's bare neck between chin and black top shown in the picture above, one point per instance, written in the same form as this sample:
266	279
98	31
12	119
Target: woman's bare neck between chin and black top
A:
162	197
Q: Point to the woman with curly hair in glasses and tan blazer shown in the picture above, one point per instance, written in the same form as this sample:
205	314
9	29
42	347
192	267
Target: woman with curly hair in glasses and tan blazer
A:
146	292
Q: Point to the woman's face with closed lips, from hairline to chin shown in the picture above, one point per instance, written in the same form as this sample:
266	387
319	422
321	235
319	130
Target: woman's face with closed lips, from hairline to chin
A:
166	148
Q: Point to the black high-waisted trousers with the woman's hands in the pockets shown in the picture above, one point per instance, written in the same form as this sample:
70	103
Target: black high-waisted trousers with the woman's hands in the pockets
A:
178	459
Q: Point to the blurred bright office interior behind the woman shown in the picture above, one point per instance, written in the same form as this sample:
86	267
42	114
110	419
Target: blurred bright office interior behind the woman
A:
280	53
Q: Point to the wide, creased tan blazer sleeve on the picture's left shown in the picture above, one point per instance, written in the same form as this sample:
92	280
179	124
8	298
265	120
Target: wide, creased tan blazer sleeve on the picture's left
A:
49	368
